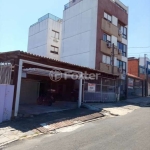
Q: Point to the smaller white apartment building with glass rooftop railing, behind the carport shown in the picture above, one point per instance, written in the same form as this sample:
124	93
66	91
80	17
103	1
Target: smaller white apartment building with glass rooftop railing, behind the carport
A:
45	37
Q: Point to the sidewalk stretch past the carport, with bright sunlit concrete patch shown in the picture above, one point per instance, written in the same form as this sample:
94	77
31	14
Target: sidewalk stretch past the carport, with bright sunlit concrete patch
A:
119	108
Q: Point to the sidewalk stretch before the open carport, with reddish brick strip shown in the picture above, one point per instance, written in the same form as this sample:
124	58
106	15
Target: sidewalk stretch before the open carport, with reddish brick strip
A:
23	128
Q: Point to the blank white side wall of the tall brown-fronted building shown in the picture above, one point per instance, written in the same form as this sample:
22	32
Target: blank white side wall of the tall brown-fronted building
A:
79	33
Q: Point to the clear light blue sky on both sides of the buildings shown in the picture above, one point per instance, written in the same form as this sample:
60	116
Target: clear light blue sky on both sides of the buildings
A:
16	16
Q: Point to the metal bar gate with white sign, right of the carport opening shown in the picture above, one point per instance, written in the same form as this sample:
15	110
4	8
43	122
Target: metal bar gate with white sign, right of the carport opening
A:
102	90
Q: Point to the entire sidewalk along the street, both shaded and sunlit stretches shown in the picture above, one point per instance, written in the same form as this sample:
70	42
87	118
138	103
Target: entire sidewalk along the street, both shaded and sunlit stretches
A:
23	128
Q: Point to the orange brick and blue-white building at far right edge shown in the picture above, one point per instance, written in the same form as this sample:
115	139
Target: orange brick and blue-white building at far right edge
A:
140	67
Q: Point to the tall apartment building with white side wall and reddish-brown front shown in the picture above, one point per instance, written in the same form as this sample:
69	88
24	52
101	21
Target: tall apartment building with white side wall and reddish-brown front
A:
90	28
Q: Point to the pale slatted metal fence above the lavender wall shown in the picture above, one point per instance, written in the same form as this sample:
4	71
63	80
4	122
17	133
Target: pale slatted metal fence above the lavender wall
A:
5	72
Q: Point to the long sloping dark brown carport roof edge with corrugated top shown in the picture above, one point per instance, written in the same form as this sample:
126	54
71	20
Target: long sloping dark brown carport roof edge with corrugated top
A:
11	55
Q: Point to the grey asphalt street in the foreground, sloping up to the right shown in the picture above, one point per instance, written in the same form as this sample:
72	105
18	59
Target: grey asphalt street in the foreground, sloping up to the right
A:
128	132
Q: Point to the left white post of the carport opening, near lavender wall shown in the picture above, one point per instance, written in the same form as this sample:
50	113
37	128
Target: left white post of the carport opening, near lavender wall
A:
18	88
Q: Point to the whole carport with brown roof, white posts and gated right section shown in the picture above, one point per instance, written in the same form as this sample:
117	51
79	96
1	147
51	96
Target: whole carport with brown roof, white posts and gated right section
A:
30	75
